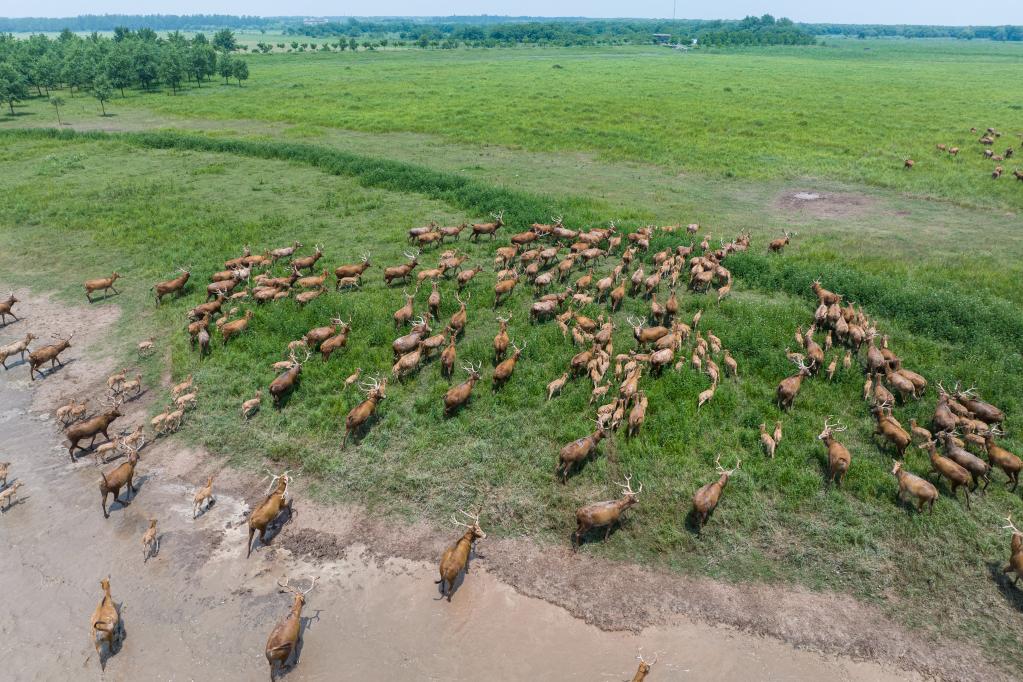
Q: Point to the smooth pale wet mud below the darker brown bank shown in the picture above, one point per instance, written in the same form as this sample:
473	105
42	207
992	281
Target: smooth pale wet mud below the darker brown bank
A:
201	610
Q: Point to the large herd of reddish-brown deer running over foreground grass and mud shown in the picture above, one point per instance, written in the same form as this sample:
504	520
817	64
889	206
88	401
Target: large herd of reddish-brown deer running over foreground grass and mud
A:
559	267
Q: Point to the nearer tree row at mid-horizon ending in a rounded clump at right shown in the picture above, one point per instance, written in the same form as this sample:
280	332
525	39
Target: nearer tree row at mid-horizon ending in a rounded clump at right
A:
751	31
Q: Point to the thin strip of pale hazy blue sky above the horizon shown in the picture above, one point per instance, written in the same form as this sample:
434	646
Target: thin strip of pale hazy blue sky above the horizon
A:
984	13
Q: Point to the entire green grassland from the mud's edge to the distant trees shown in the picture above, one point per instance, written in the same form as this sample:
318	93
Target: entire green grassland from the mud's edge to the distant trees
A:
452	137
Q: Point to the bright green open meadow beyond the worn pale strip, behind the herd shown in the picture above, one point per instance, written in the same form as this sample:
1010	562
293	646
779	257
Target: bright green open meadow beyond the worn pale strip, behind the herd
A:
851	111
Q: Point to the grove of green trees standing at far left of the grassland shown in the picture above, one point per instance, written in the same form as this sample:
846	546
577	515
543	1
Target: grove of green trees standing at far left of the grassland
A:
103	66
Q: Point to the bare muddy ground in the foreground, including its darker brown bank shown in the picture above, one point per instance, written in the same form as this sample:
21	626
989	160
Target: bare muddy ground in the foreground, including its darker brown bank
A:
202	610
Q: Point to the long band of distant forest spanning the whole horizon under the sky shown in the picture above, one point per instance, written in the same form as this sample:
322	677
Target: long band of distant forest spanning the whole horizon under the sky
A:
495	31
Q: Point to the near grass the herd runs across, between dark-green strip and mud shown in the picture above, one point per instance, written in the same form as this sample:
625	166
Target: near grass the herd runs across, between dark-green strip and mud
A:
145	204
